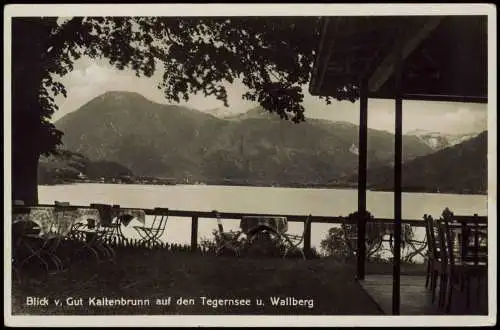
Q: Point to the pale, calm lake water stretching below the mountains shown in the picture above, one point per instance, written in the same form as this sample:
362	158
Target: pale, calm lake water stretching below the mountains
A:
300	201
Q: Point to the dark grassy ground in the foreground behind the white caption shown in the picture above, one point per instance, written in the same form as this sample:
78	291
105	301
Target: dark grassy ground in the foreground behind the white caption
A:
150	274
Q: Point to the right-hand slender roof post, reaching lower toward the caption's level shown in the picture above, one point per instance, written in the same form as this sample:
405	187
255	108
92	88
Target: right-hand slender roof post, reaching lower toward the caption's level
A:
398	151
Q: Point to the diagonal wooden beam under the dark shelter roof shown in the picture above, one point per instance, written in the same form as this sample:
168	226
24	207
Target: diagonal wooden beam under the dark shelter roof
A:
406	44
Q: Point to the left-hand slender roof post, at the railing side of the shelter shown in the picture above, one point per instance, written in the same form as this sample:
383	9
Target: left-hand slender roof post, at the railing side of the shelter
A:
362	160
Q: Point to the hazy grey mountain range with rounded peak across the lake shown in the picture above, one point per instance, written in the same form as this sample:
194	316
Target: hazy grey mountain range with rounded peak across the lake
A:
254	147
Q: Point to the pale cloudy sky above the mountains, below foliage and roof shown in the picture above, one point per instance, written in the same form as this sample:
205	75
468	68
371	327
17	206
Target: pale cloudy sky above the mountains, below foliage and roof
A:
91	78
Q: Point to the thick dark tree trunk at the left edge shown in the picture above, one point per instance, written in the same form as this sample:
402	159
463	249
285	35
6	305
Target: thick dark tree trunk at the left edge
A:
29	37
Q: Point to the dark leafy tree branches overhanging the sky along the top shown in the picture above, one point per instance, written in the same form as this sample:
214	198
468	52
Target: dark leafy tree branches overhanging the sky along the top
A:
272	56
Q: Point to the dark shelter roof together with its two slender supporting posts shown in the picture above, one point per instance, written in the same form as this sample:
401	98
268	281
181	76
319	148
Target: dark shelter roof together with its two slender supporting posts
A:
440	58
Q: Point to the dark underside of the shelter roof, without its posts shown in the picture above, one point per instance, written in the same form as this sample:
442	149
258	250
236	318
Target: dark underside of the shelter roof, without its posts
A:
445	57
